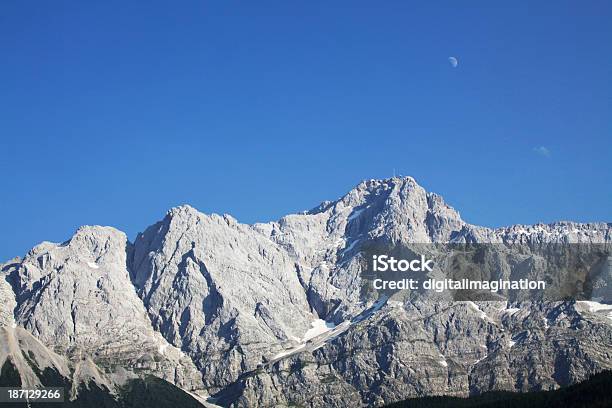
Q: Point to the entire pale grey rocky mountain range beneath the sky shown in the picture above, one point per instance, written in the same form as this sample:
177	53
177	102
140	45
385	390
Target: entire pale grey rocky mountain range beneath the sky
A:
274	313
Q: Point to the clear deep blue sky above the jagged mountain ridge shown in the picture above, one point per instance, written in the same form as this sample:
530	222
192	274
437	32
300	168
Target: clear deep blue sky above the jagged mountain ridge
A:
111	113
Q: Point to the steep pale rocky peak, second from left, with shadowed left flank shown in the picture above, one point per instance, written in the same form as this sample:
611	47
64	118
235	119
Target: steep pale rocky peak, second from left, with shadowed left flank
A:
219	290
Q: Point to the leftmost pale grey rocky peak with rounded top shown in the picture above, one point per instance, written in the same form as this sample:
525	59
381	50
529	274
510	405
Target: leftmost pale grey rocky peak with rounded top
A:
77	297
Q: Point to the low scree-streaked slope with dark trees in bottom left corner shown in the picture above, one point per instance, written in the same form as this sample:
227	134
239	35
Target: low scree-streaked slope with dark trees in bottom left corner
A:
25	361
